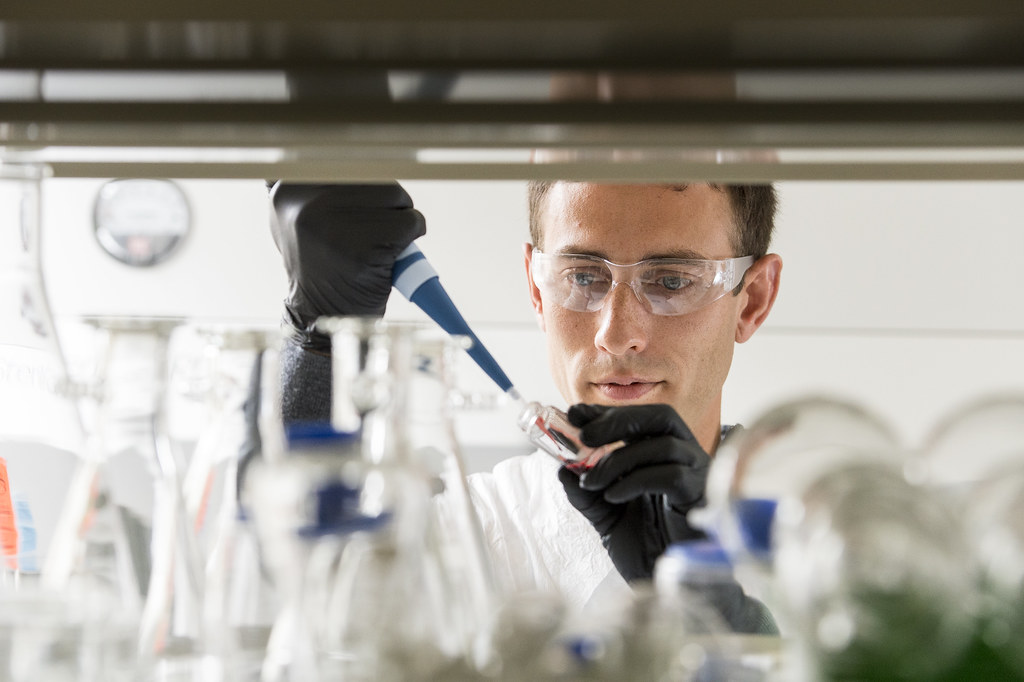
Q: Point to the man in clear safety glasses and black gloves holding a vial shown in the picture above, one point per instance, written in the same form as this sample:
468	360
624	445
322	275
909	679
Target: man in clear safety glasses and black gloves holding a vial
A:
642	354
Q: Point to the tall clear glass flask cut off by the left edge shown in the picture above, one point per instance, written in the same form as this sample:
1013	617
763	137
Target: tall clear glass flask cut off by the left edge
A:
40	432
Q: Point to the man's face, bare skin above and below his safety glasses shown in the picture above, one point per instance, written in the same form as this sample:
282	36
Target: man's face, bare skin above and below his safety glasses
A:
623	354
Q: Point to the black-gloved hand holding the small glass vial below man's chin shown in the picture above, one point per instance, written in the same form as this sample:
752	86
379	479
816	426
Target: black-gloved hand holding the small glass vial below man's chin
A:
637	497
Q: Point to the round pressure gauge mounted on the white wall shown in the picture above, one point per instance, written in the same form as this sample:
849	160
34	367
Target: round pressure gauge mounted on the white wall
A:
141	222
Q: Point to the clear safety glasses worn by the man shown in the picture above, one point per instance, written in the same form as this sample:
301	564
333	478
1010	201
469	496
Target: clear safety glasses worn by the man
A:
665	286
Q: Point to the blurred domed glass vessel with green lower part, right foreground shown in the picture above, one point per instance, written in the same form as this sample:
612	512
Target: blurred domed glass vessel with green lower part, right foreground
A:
875	575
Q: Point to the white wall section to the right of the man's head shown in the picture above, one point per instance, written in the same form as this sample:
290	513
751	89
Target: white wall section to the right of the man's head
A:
901	295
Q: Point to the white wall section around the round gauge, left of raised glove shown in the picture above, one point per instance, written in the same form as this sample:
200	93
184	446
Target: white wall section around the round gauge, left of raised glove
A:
228	268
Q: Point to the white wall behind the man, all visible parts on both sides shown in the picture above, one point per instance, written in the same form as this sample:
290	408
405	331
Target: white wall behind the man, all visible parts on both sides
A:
901	295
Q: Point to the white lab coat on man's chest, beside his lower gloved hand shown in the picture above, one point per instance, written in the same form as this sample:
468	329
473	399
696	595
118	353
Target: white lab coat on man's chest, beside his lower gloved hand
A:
538	541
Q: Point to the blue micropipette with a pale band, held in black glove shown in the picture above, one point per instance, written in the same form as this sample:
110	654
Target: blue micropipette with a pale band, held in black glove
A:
416	279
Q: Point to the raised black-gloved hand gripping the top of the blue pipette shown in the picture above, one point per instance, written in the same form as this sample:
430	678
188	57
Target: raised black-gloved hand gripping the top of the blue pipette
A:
339	243
